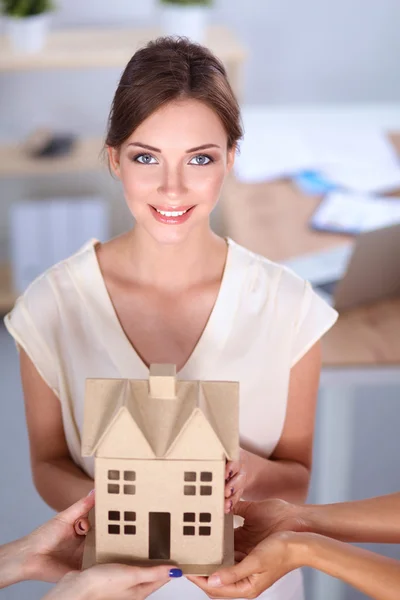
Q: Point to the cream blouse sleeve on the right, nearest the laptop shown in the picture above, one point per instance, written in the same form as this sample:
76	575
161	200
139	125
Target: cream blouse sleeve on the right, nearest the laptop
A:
316	317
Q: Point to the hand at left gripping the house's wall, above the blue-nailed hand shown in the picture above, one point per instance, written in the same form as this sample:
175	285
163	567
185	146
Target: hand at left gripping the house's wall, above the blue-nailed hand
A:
56	547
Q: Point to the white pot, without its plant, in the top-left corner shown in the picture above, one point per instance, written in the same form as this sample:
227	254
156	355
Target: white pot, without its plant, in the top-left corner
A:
27	35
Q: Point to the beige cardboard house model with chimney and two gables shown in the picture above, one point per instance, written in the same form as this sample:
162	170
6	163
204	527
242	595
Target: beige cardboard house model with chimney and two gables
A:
160	448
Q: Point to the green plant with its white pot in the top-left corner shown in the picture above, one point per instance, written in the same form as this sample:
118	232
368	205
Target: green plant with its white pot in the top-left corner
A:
27	23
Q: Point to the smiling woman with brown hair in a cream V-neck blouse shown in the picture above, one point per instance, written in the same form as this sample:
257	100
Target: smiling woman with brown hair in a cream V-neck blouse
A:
170	290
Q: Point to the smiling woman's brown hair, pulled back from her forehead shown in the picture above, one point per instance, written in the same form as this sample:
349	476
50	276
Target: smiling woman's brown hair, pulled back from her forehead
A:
168	69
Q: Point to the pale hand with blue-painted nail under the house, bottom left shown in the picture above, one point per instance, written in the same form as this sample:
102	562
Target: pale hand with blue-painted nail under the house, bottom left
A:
108	582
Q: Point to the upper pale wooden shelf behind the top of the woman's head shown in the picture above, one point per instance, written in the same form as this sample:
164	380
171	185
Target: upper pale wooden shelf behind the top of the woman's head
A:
109	47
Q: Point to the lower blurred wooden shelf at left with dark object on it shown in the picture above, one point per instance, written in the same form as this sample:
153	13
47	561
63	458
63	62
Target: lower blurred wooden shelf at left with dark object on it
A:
14	162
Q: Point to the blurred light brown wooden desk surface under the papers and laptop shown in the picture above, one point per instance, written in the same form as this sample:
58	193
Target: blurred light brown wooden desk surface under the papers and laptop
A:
271	219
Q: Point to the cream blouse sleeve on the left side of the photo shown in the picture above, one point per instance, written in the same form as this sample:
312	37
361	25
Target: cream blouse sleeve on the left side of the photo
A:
32	324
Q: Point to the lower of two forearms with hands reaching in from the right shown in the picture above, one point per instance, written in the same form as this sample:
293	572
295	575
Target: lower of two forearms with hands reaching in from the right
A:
374	575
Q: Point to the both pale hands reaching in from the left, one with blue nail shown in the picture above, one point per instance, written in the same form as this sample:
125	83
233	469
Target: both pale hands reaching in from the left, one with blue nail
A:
54	553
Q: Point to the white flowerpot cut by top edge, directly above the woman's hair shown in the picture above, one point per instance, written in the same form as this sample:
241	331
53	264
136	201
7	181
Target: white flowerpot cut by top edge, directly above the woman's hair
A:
186	18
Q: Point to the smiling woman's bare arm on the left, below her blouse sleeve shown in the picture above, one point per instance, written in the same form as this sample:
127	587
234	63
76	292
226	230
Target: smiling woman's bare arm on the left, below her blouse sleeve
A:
59	481
